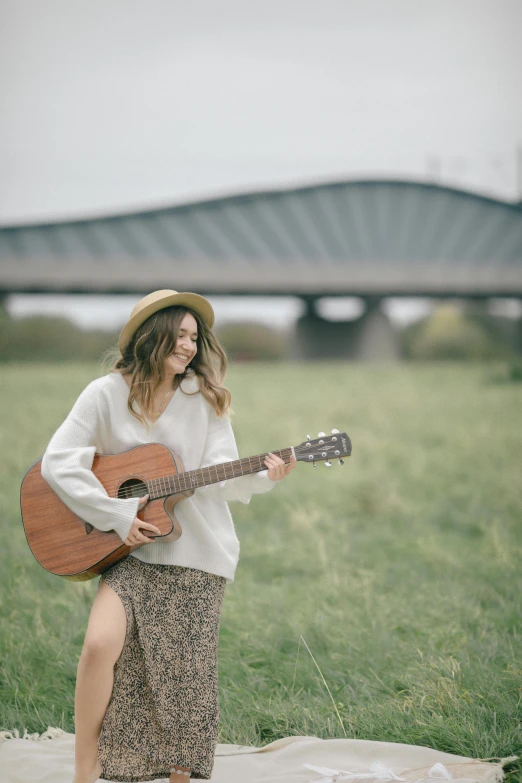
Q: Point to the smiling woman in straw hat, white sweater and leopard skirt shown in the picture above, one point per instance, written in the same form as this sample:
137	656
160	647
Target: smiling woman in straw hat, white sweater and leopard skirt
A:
146	702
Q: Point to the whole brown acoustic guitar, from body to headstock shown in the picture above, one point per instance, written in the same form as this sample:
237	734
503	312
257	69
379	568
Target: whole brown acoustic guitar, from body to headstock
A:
68	546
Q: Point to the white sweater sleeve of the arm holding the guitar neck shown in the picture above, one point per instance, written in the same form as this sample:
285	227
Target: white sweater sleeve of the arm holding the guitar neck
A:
220	446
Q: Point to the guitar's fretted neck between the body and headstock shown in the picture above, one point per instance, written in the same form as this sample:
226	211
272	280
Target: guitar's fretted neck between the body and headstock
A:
202	477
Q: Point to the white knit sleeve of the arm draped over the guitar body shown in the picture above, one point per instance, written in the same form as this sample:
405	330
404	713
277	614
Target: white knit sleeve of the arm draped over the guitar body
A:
67	468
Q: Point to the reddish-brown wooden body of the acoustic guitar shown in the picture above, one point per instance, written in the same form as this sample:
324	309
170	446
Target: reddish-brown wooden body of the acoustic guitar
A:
66	545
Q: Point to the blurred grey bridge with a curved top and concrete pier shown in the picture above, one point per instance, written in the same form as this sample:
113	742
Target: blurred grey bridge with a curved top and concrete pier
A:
369	238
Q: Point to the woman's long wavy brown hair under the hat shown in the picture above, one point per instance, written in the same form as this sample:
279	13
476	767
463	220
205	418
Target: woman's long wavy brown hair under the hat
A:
144	356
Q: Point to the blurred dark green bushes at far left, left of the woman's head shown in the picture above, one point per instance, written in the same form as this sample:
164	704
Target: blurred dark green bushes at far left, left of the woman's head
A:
44	338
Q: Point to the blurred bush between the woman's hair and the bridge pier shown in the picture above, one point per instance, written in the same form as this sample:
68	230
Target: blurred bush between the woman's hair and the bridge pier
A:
249	341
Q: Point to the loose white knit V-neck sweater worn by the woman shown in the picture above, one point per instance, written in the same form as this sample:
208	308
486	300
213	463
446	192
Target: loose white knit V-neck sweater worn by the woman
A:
100	422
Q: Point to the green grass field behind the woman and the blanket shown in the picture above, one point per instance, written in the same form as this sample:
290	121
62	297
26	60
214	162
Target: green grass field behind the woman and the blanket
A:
399	572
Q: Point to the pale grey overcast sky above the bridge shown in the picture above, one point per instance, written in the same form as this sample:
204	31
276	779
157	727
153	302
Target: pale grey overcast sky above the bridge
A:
110	105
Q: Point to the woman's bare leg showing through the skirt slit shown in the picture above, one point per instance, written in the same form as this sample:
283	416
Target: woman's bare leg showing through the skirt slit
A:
102	647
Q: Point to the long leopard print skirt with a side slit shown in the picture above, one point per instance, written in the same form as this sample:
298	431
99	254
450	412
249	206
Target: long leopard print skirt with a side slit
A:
164	709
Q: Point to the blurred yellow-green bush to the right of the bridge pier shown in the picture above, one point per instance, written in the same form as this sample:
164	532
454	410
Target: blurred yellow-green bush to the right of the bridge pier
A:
448	333
